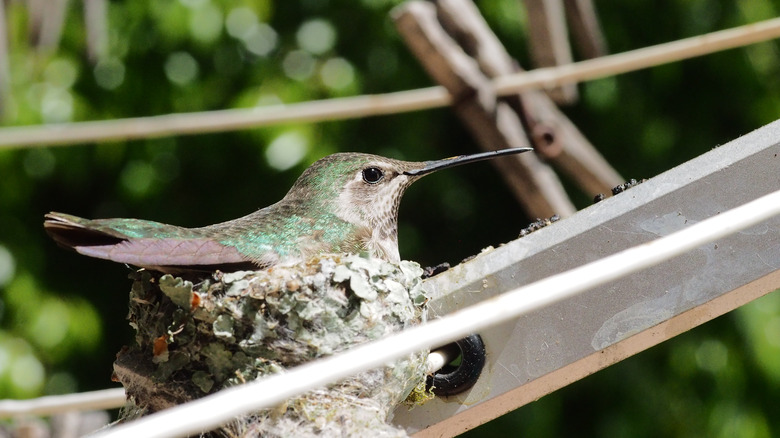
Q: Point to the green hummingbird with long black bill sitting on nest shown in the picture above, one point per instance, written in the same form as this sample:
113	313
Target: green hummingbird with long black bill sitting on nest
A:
343	203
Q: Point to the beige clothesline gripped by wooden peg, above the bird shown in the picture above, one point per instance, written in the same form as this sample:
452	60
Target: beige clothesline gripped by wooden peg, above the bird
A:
379	104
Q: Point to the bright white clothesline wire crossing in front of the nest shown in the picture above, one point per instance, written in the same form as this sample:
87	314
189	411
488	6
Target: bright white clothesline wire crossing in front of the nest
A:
206	413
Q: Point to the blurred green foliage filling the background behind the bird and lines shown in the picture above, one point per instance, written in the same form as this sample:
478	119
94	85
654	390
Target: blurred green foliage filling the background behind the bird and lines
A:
62	316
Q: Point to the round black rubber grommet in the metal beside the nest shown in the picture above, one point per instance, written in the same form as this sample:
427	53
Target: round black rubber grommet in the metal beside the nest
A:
452	380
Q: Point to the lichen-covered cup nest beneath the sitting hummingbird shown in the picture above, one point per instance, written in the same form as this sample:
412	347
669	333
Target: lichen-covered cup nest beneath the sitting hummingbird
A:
197	336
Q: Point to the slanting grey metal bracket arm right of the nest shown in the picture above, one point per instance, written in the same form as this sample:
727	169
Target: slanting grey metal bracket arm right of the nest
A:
573	338
